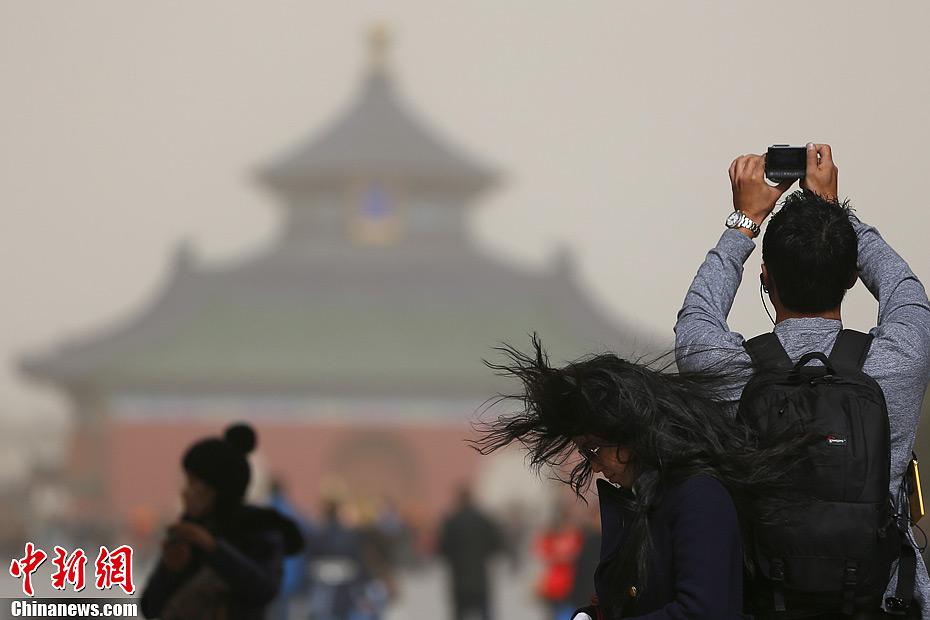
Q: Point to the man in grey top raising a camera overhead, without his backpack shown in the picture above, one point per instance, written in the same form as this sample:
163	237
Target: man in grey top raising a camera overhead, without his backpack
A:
814	249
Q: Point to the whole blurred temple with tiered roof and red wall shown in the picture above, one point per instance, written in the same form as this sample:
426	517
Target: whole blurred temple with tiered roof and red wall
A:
354	342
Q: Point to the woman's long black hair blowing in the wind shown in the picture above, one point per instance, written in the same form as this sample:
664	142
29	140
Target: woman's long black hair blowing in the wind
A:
675	425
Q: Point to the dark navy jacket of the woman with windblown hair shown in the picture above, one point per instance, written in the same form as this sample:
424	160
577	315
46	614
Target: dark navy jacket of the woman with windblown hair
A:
695	569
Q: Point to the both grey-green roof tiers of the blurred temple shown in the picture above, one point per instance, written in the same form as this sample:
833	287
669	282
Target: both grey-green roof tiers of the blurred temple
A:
332	319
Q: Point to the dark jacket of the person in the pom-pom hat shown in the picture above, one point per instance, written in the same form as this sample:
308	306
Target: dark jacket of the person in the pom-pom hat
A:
237	580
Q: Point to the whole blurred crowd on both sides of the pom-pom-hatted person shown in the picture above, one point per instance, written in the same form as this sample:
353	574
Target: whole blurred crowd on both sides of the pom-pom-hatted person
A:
358	547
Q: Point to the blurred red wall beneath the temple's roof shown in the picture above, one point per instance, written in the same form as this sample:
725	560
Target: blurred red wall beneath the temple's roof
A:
418	467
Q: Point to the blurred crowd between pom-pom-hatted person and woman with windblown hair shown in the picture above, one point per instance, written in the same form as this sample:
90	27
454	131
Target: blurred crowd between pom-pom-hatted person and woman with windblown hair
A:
356	551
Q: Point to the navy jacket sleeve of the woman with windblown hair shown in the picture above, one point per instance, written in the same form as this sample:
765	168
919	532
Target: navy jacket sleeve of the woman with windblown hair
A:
707	552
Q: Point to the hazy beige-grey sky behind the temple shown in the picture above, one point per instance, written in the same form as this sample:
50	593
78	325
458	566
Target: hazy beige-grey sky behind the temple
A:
129	126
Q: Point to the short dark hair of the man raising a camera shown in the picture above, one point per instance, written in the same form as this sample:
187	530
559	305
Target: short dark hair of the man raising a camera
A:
810	251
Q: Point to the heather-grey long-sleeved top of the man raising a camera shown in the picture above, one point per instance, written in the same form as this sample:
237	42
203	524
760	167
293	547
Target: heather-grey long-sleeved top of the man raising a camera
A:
899	358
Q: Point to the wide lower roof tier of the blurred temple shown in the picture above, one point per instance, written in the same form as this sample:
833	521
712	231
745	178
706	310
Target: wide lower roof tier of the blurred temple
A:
372	323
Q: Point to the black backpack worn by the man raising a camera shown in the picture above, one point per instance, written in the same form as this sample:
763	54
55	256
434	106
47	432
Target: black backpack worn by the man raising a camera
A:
828	544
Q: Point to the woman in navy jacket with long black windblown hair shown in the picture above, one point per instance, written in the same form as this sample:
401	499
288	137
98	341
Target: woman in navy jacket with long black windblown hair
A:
676	468
